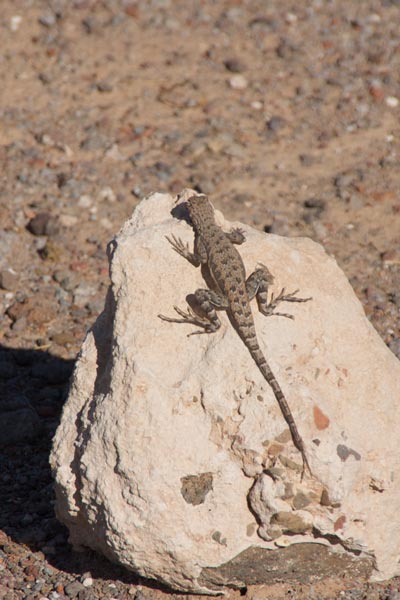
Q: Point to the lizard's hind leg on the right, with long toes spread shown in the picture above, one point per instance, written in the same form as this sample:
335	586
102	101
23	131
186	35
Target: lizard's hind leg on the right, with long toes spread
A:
257	284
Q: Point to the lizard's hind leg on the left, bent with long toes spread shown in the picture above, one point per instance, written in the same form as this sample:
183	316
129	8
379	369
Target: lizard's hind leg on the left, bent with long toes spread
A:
204	314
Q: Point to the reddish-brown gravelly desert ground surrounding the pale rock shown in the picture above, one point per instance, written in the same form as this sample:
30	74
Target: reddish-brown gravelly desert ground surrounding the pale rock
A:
286	113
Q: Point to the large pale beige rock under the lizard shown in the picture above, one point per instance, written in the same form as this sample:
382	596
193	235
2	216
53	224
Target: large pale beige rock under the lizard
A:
172	456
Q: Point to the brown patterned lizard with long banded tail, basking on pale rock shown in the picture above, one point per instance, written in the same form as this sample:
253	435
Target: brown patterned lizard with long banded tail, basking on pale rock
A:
214	249
